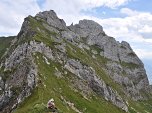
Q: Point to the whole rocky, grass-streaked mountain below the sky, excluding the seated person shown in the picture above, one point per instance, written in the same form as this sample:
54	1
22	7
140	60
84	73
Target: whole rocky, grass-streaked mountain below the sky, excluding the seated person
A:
82	68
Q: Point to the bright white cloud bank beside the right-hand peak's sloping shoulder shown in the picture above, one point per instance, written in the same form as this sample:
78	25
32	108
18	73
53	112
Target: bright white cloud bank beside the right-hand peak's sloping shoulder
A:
130	27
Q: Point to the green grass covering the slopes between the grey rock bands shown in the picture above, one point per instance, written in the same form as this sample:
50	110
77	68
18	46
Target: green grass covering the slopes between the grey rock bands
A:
57	87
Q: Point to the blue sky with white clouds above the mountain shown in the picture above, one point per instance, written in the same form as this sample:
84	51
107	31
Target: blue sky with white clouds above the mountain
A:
128	20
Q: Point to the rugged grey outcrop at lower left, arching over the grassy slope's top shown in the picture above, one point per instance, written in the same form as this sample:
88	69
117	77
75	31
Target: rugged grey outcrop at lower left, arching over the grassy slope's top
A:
22	73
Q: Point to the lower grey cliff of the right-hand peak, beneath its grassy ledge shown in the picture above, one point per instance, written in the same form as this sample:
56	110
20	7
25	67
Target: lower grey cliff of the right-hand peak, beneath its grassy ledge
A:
132	80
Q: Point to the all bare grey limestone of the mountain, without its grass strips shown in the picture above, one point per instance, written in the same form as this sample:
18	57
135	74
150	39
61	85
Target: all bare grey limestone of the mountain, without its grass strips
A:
83	35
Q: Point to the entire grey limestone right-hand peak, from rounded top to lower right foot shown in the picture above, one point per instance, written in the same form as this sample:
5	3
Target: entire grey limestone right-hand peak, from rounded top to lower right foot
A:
123	60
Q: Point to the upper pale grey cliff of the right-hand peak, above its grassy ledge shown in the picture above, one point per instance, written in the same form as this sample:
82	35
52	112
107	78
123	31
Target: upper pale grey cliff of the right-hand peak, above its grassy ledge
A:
93	33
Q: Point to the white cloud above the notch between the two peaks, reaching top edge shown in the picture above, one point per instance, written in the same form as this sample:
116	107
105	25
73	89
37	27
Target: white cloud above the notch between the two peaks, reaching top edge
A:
70	10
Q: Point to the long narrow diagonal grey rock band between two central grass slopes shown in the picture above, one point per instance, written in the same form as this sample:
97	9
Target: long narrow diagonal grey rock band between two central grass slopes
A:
95	83
